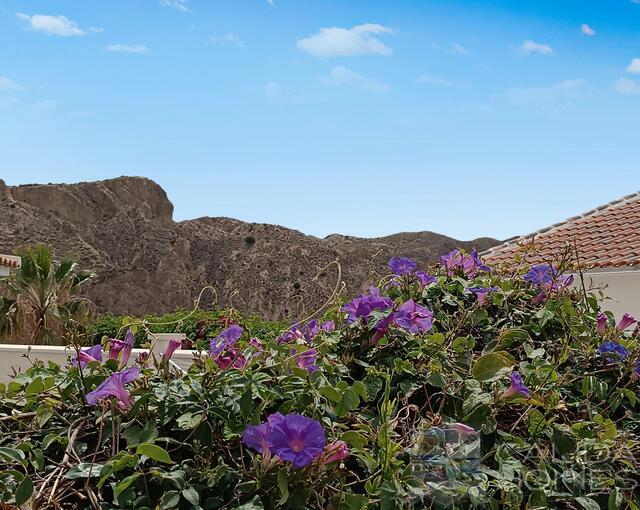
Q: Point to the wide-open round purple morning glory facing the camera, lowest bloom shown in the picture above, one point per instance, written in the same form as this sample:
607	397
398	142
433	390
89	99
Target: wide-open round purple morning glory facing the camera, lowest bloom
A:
297	439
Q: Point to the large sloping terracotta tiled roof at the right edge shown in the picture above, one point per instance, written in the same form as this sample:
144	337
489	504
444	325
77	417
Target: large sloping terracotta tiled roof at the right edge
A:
608	236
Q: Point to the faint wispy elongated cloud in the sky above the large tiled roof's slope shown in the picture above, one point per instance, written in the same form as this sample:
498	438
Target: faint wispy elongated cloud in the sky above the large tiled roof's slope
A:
559	94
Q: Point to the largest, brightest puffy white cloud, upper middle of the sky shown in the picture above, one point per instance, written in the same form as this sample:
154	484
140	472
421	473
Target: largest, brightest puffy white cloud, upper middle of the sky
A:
345	42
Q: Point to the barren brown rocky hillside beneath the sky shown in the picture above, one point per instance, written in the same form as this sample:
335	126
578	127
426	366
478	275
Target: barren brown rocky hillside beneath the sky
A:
123	230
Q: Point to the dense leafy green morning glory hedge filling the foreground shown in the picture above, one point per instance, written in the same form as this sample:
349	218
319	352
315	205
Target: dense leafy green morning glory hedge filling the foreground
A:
574	443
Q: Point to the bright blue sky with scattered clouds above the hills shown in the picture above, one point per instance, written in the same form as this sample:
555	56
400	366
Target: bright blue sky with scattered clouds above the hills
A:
465	117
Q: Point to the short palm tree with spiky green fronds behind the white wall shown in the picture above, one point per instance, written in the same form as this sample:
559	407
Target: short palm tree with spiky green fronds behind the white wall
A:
41	299
